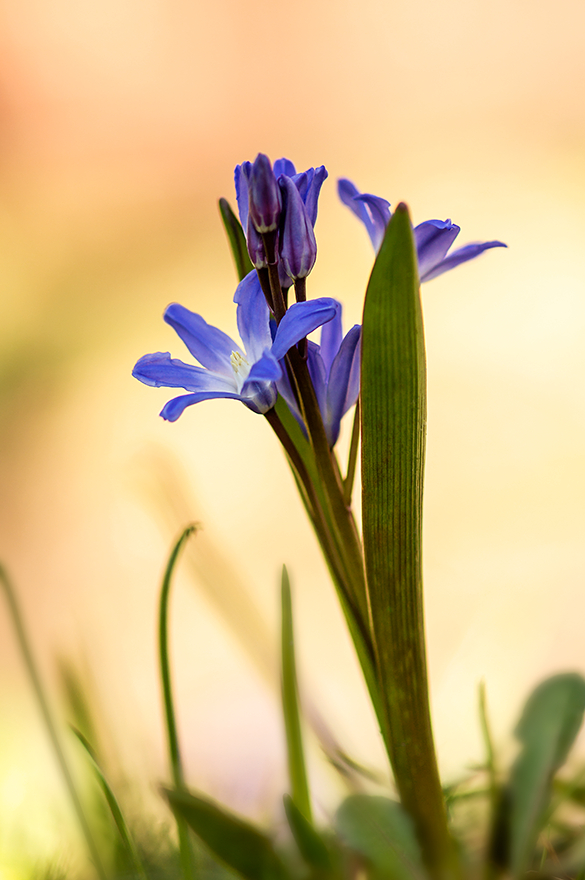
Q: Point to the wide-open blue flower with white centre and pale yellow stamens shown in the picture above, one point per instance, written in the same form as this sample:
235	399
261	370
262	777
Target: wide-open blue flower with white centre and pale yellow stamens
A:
248	374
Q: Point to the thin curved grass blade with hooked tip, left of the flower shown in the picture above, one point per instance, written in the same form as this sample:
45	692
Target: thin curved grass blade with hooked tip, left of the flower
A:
185	849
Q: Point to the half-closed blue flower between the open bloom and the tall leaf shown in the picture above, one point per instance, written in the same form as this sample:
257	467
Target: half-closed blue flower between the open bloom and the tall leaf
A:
334	366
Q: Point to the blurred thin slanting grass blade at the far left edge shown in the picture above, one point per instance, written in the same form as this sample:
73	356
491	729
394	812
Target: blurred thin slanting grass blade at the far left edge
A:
35	679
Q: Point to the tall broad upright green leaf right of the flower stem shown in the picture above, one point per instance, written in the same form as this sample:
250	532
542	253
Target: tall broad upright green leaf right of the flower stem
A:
393	406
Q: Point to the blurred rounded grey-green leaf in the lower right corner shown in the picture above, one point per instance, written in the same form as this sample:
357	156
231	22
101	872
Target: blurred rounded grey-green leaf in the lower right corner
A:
547	729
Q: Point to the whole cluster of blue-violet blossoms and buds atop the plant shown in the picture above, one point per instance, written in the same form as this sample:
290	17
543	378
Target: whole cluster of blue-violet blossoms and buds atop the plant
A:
278	211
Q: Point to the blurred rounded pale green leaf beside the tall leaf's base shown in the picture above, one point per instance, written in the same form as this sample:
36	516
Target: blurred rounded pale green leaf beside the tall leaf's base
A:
383	834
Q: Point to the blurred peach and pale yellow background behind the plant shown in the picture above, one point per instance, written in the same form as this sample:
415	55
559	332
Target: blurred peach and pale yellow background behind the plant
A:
121	122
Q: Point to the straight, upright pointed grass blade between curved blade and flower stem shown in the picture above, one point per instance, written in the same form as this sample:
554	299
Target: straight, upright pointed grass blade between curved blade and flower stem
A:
290	707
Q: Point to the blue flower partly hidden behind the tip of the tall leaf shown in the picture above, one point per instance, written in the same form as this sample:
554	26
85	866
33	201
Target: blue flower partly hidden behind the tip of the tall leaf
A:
433	238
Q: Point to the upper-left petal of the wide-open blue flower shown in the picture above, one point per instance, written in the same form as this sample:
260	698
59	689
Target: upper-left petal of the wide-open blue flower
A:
210	346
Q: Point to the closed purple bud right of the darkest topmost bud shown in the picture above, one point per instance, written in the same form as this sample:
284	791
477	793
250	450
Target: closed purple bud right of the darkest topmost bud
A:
298	248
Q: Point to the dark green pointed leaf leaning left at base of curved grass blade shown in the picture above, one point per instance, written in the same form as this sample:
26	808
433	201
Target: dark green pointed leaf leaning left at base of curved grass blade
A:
237	843
